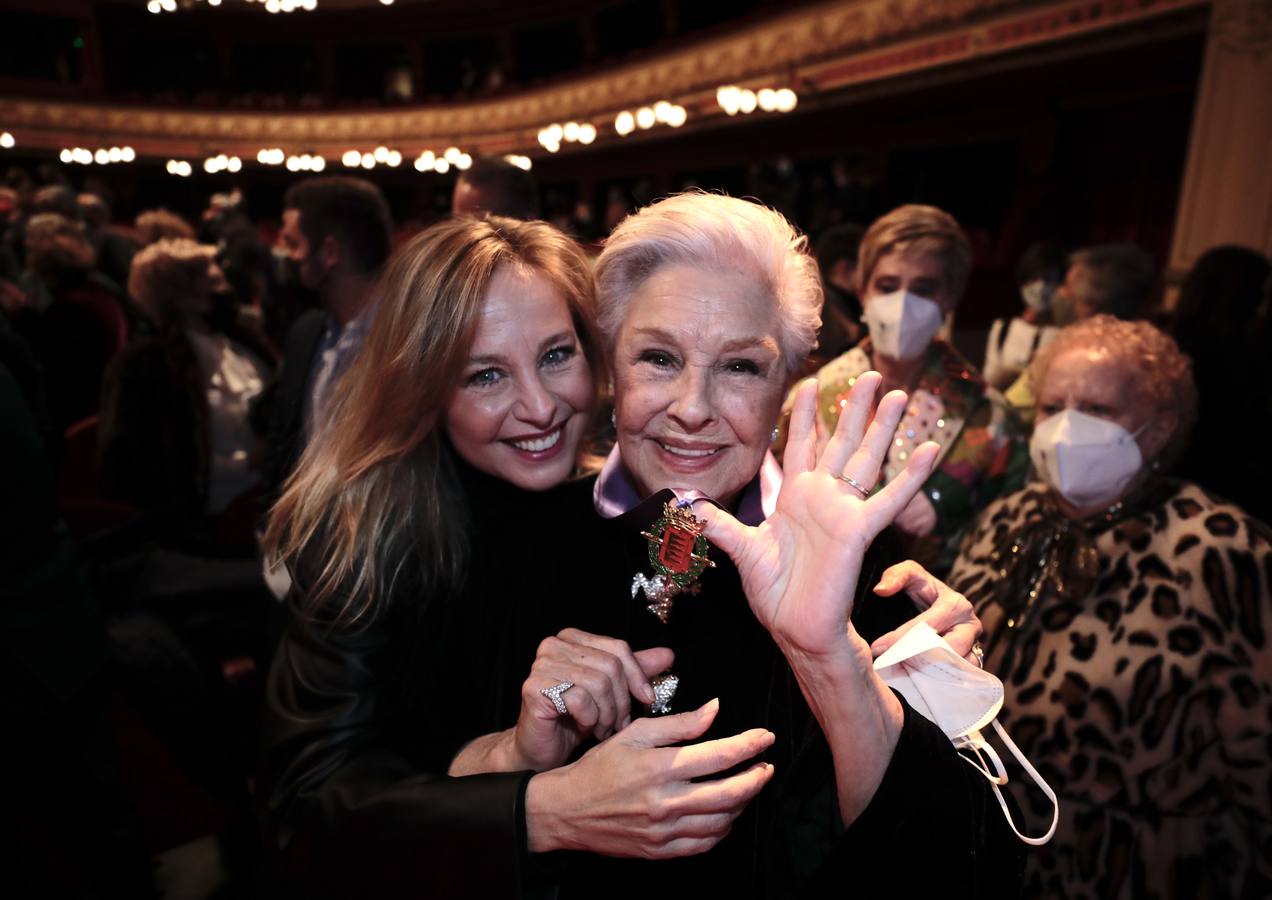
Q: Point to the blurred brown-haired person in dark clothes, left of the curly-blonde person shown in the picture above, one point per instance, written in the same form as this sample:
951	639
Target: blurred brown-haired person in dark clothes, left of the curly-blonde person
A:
73	318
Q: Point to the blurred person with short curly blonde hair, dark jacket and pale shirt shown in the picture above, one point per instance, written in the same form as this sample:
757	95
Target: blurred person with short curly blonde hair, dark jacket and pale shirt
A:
174	435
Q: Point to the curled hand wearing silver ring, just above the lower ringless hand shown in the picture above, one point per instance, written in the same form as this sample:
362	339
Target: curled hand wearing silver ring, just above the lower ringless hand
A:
606	676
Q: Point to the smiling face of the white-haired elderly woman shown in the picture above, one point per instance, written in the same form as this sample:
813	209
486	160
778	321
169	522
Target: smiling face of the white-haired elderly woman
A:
699	381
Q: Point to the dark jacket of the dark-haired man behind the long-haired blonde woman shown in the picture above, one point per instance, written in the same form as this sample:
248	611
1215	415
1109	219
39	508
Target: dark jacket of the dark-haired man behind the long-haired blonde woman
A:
280	410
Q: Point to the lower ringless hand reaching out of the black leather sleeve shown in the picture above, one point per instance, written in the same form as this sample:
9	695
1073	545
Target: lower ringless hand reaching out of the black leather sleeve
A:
637	796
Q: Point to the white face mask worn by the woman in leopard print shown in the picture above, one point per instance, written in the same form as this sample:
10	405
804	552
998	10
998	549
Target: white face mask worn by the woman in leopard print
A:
1089	461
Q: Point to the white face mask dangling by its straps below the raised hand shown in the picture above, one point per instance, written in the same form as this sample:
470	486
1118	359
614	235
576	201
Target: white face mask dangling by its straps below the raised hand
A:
961	700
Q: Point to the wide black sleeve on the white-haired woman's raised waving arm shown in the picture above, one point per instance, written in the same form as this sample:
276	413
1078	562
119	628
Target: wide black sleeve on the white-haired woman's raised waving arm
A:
933	828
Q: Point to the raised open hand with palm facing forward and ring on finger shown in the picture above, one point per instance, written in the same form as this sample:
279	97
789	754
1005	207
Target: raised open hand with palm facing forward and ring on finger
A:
801	568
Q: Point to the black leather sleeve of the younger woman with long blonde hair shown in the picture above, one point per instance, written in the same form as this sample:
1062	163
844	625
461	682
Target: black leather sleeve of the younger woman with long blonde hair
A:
352	812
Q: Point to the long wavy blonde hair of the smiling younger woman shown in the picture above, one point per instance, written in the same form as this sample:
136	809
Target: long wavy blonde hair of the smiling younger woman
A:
376	493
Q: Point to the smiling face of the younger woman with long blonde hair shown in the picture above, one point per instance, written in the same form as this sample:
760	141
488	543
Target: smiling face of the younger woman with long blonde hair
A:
525	396
